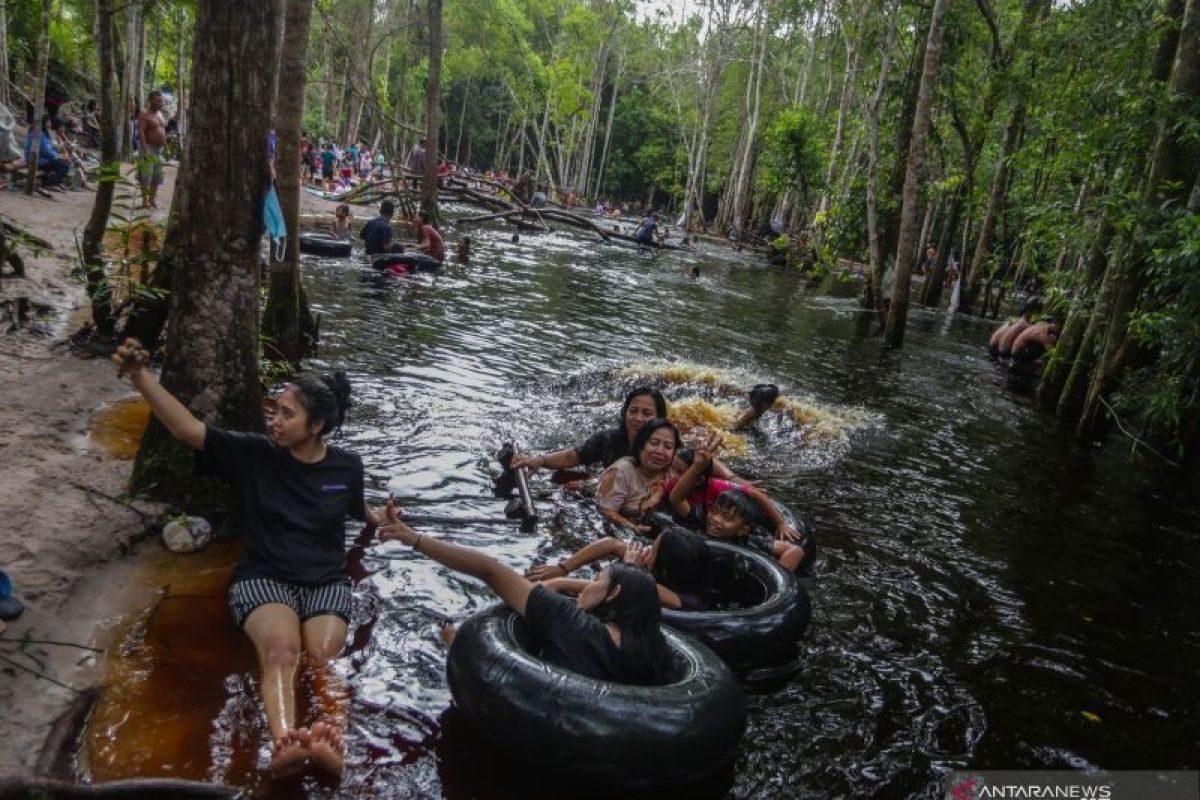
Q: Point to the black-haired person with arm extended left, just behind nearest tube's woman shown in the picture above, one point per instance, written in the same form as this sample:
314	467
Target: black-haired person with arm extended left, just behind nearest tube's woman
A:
679	560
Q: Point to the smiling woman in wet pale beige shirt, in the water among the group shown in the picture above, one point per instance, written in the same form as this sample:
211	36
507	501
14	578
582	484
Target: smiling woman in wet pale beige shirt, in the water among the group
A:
633	486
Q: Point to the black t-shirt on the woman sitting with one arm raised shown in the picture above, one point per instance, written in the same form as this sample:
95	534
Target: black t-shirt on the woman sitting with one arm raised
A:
293	515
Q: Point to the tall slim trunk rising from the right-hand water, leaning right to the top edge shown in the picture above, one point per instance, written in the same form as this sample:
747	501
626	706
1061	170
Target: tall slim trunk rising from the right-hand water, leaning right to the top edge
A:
898	311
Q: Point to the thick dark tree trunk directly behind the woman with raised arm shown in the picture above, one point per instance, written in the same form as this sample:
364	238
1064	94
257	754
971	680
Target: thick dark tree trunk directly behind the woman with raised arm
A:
214	238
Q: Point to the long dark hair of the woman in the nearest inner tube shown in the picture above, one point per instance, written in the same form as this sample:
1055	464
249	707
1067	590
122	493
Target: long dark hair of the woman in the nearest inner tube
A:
646	658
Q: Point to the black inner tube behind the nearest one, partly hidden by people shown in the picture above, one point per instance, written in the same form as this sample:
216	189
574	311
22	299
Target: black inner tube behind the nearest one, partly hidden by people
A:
763	611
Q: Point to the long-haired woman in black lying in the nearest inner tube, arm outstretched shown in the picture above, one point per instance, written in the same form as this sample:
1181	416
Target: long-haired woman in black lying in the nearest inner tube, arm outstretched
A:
610	633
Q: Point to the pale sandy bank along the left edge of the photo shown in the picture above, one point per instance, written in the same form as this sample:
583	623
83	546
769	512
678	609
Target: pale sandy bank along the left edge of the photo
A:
65	534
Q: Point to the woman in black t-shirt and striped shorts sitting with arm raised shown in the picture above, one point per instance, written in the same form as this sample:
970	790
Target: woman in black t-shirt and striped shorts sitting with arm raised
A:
291	592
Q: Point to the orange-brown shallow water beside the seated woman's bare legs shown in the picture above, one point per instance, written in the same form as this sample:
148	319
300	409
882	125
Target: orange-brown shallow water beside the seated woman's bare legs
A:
177	695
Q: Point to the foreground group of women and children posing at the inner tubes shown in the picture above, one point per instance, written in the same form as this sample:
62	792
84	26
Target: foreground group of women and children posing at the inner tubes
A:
292	596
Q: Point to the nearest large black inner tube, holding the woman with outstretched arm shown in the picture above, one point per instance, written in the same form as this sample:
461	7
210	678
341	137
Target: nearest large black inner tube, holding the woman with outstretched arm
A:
611	735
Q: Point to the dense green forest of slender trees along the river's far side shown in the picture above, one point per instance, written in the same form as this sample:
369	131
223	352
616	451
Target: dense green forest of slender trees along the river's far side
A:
1039	143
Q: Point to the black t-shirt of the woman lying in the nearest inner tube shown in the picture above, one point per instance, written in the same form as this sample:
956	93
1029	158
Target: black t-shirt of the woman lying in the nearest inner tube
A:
571	637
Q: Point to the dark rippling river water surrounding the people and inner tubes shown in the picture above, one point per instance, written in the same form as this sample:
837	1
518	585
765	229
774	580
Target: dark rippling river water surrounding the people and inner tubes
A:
991	593
